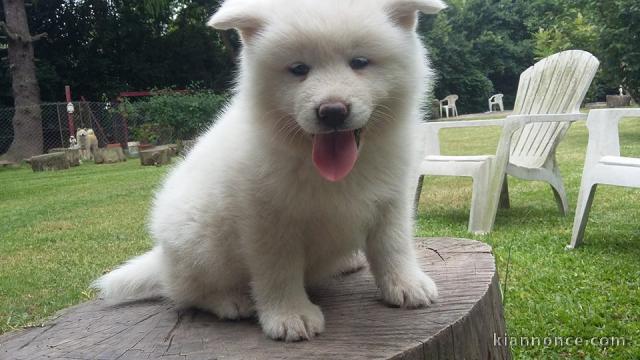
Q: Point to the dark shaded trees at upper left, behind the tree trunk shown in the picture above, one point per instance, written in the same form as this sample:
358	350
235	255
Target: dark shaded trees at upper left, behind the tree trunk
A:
109	46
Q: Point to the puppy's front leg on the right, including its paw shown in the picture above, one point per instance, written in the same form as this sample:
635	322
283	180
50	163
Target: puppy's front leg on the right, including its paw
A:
391	254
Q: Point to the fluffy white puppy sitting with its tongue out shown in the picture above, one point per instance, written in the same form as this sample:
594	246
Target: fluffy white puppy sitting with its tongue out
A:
314	159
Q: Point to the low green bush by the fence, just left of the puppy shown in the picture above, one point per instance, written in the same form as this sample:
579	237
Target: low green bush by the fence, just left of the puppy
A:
169	116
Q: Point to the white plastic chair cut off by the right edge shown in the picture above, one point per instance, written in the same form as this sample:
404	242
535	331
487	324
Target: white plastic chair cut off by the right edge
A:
603	164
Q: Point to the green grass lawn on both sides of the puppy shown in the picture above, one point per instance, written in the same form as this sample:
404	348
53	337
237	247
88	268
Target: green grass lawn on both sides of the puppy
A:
61	230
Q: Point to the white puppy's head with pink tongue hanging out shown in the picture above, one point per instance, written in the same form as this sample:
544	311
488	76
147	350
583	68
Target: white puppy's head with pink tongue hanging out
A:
325	72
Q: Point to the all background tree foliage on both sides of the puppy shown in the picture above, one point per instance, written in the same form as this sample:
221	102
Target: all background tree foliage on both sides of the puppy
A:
478	47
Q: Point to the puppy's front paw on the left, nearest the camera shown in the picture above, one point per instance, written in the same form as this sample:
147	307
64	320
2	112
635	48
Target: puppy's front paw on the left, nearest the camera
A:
295	324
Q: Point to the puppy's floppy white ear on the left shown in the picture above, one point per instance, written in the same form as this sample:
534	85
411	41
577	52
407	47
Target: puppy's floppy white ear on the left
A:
240	15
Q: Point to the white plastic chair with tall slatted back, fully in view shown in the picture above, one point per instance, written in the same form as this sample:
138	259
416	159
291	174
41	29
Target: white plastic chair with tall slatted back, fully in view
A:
549	97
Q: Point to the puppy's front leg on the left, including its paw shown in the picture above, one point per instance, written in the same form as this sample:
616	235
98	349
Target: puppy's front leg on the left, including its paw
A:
277	272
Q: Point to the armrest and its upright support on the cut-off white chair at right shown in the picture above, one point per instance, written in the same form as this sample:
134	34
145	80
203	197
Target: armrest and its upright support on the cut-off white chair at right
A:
604	137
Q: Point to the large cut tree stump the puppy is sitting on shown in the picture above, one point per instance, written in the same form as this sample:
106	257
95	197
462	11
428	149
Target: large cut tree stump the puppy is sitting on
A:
463	324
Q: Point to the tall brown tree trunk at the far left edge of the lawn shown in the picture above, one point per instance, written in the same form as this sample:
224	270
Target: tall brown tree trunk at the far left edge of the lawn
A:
27	120
